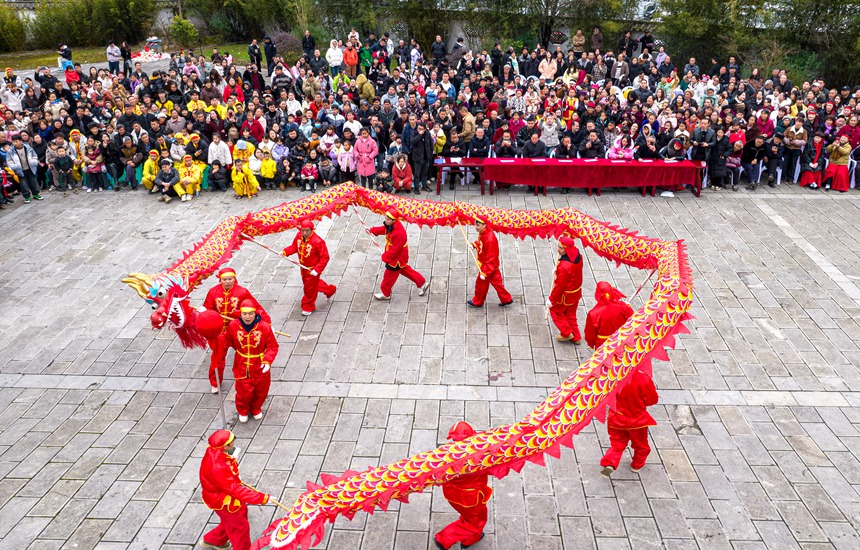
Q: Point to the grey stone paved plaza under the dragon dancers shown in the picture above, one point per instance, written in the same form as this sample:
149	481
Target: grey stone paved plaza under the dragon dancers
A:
103	421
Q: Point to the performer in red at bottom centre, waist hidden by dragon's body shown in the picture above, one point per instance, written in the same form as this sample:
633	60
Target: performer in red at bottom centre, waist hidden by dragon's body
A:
468	495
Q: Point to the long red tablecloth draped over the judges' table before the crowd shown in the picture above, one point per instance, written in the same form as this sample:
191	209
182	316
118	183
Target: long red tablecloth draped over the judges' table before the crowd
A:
593	174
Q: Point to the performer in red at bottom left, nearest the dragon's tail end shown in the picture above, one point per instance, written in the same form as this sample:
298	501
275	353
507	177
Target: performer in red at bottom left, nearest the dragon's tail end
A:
224	493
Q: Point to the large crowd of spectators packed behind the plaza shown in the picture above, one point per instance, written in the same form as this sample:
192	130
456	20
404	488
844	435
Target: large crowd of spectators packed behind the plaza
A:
369	110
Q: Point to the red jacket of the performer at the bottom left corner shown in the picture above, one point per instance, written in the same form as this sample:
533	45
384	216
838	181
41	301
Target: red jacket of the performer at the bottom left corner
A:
222	488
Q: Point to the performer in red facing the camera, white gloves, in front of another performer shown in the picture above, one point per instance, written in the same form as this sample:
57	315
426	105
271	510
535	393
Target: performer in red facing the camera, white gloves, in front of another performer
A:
256	348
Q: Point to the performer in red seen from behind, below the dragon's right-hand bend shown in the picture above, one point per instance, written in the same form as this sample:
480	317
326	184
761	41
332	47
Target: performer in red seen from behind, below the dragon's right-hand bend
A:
628	421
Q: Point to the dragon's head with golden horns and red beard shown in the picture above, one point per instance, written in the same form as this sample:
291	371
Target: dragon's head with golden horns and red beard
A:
168	295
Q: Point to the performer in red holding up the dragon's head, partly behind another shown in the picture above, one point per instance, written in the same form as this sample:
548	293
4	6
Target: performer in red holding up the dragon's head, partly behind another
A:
225	299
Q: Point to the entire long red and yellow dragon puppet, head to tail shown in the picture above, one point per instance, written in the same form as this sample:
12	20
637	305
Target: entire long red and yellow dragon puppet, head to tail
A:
584	395
